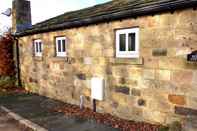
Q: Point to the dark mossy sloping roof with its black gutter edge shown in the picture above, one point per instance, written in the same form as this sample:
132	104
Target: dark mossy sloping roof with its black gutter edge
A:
113	10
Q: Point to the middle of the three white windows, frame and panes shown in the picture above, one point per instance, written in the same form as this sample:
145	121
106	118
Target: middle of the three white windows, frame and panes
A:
61	46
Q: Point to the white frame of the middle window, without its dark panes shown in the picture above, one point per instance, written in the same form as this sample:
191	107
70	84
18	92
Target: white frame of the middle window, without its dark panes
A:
61	53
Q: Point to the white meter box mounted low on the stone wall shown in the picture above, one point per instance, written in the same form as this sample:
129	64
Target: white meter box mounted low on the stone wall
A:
97	88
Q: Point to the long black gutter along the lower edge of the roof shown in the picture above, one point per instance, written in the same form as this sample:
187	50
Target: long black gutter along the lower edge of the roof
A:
129	13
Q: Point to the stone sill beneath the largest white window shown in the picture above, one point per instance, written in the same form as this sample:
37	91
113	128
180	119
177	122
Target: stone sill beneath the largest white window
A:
127	61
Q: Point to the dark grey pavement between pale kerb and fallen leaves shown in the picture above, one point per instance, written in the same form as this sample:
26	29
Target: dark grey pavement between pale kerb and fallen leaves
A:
38	110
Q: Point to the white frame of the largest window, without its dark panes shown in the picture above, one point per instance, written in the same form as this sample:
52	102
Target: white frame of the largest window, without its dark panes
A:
127	54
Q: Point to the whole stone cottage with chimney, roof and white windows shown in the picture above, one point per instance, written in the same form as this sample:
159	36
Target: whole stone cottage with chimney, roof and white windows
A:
137	48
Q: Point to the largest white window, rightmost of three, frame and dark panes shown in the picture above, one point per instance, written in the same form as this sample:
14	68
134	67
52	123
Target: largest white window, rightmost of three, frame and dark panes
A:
127	43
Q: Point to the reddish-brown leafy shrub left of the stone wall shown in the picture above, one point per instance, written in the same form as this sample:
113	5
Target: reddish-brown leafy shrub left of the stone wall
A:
7	68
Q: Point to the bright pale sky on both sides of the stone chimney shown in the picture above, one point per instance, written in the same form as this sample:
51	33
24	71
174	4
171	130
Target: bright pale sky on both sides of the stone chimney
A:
45	9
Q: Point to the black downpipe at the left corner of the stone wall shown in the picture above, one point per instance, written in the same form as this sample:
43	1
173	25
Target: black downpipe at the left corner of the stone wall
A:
18	62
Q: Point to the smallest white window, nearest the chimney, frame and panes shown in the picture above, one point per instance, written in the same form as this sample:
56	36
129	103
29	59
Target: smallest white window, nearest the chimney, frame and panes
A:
38	47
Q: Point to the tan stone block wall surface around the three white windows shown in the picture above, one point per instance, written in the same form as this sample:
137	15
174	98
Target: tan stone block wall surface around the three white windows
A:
151	88
